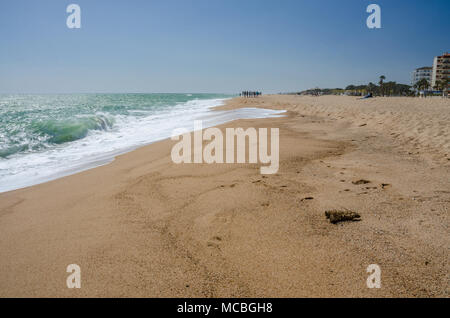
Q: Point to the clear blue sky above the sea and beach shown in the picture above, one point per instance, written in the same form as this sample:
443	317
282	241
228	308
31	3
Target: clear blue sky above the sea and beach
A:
214	45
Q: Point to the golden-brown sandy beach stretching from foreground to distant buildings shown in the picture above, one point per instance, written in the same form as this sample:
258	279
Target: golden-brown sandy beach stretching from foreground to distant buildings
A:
143	226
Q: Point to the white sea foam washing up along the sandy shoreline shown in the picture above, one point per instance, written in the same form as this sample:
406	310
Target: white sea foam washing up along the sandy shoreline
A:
100	147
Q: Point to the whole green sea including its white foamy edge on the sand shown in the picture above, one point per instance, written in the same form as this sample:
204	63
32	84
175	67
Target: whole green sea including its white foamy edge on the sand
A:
44	137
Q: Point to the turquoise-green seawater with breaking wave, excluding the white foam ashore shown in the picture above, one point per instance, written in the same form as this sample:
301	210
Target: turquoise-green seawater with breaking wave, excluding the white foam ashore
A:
30	123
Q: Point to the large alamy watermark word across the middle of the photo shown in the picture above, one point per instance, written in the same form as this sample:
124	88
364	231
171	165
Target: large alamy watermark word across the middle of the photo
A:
214	151
